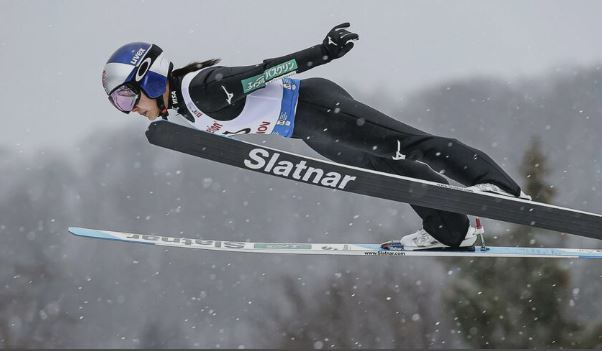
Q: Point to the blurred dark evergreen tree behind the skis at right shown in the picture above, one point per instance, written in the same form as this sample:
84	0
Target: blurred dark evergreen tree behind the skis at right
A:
517	303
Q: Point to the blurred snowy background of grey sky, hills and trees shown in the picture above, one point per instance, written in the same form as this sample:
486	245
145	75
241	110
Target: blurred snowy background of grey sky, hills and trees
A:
521	80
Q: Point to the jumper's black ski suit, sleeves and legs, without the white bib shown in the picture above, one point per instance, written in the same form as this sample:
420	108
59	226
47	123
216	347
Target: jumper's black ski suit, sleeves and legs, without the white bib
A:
347	131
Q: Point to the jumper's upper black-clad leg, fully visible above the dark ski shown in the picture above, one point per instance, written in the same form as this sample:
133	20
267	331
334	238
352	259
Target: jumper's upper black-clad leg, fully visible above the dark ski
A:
326	112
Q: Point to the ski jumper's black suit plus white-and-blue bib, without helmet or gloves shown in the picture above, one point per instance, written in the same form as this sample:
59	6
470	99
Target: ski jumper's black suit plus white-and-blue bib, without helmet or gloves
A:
257	99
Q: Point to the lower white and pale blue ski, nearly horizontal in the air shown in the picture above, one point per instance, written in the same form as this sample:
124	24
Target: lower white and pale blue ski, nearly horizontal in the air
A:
333	249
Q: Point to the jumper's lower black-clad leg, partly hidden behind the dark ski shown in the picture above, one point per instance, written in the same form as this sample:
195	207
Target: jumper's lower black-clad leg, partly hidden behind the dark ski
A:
447	227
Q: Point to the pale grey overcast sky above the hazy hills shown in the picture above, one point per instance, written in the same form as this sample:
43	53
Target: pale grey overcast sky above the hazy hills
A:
52	52
